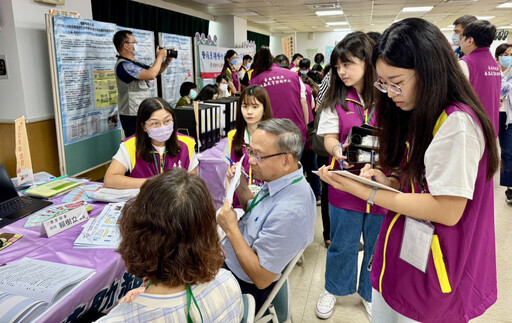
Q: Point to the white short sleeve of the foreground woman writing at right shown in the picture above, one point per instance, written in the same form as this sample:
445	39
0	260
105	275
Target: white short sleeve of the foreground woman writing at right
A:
452	158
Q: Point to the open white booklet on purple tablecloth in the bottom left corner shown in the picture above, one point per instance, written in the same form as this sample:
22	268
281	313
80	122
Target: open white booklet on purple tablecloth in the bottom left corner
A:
29	287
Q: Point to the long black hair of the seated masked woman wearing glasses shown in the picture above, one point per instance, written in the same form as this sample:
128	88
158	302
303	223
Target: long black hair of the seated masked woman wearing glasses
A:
144	146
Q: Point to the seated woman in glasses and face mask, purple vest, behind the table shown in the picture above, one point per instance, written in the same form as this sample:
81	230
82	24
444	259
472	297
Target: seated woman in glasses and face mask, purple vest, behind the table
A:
155	148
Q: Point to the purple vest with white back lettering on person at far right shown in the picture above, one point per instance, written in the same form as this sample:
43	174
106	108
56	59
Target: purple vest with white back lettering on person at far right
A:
485	77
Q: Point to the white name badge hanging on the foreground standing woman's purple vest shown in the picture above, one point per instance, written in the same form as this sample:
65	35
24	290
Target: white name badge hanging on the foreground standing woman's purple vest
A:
416	242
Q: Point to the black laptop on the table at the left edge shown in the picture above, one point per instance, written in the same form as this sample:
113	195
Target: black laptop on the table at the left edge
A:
12	206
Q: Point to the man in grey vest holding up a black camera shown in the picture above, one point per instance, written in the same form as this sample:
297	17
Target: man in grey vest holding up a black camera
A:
133	78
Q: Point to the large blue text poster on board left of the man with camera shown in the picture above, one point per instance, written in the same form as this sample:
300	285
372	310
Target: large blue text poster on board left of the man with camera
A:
85	58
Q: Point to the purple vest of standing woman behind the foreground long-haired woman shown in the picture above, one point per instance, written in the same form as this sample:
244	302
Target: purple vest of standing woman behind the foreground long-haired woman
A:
347	120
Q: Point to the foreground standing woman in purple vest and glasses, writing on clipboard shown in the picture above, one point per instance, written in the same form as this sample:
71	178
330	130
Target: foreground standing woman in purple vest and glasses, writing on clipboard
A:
435	257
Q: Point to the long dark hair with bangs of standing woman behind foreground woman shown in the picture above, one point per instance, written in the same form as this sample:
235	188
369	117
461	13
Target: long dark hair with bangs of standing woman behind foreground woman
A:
358	45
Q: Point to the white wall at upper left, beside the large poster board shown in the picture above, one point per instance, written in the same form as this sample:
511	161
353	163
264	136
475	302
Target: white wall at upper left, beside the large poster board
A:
28	91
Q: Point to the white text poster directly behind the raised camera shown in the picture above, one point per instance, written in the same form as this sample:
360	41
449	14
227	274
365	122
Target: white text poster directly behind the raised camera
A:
180	70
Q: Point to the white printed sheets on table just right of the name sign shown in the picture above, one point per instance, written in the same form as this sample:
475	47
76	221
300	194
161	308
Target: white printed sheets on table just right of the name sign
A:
102	231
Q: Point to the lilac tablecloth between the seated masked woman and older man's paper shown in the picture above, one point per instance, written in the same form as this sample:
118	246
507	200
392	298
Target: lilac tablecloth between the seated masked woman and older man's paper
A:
212	169
